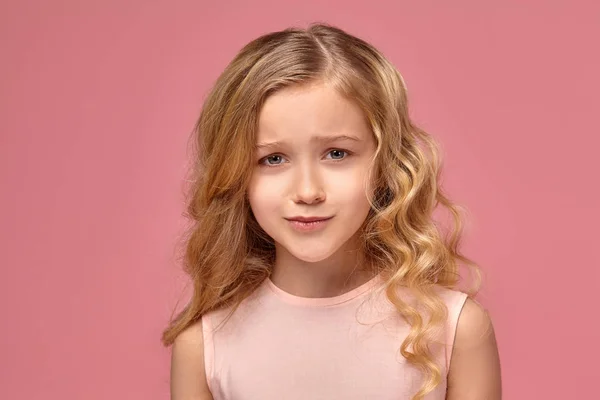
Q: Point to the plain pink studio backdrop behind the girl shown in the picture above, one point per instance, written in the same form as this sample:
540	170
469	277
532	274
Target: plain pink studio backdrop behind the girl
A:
96	103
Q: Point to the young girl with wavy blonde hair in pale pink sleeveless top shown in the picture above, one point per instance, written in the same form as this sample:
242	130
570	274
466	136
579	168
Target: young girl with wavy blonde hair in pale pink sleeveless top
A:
318	269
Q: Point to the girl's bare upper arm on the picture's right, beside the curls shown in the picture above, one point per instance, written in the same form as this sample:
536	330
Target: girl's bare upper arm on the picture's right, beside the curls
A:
474	372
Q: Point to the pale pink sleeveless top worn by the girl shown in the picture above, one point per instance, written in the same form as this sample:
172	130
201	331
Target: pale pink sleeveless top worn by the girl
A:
280	346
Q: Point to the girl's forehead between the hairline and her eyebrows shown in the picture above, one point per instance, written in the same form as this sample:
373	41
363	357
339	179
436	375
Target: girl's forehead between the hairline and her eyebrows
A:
301	112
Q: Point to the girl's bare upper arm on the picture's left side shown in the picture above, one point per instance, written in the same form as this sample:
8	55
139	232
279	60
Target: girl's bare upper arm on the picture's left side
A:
188	377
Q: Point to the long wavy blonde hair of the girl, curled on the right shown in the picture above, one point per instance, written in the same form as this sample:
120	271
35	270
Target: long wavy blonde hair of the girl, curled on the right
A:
227	255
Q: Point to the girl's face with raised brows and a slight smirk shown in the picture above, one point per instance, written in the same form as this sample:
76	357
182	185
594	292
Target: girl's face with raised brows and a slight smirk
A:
312	162
